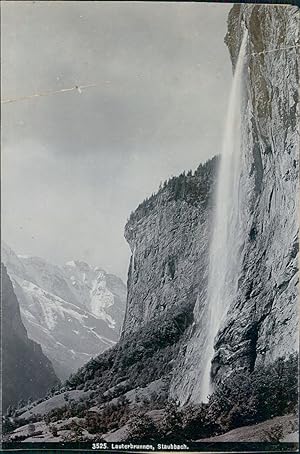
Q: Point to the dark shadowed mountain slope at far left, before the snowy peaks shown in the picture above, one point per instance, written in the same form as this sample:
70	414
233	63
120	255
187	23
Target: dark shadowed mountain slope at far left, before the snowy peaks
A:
26	372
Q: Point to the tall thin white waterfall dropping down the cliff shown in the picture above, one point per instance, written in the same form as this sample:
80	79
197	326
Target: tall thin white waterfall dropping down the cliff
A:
225	242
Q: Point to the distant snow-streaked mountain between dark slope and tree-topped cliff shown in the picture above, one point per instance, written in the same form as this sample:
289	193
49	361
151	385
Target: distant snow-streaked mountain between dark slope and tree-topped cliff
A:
73	311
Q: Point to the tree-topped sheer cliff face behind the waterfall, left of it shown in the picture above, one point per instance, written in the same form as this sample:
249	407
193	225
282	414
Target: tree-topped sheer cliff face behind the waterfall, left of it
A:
168	236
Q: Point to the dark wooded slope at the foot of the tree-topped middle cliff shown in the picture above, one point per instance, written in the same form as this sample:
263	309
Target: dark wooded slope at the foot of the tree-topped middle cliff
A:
139	358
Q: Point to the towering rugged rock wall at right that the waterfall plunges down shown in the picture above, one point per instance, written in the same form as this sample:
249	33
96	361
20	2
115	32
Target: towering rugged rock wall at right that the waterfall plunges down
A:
261	323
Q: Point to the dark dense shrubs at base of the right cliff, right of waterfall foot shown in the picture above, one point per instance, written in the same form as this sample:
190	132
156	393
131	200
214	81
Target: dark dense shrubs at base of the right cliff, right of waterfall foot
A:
244	398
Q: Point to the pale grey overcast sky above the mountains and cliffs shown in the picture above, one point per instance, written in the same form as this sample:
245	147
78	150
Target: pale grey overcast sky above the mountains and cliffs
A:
75	165
